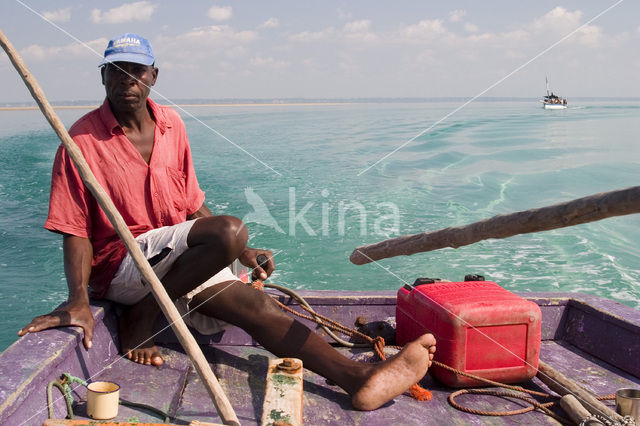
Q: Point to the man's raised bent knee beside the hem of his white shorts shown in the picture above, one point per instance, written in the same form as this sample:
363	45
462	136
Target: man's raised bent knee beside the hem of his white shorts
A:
221	232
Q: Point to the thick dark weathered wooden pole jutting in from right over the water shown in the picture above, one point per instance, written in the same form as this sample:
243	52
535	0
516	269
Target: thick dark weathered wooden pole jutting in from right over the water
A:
581	210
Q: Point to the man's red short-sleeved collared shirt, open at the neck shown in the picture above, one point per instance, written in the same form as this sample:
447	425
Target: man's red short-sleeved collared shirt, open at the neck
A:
148	196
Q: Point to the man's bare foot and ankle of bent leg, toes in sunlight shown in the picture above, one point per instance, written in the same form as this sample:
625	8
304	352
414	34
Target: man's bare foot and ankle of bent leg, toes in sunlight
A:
135	338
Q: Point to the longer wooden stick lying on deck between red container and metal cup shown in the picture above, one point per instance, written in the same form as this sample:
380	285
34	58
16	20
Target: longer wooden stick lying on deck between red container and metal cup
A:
563	385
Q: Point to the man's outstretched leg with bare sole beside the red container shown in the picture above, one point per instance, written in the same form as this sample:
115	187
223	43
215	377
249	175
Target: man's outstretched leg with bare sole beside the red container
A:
370	385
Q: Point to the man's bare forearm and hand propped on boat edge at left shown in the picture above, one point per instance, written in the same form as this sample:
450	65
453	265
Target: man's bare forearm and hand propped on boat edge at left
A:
78	253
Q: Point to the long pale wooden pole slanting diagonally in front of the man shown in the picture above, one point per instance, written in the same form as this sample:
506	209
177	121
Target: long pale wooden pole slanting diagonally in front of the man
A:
184	335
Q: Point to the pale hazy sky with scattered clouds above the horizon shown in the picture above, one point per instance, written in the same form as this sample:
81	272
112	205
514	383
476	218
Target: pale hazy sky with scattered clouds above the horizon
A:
330	49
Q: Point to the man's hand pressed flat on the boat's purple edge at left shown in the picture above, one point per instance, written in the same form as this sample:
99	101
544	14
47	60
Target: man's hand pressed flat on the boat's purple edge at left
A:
77	314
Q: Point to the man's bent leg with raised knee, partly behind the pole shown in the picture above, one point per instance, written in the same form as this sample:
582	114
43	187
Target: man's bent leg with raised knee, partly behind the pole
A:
213	243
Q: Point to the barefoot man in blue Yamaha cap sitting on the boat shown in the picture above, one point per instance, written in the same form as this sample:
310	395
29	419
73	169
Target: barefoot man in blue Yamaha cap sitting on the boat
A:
140	154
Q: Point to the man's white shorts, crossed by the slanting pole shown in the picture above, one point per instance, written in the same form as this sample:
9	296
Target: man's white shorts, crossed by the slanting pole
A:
163	246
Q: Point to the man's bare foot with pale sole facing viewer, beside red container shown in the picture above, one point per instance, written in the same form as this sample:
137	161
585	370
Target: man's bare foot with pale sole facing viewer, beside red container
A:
394	376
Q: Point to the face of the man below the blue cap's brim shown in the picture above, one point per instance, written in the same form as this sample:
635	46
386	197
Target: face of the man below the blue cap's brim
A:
128	84
